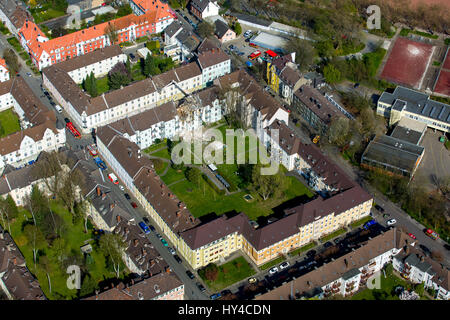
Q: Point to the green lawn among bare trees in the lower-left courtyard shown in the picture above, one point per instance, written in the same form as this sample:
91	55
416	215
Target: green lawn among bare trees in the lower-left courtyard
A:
74	238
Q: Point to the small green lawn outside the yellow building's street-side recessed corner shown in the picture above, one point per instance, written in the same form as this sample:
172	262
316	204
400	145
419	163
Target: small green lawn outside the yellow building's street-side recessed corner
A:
229	273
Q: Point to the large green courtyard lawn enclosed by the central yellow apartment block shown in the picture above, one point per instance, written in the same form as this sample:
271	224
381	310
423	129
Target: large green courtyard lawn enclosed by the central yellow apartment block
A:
204	198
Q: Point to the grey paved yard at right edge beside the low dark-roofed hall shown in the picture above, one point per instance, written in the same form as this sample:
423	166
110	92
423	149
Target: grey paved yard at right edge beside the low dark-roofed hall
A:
435	161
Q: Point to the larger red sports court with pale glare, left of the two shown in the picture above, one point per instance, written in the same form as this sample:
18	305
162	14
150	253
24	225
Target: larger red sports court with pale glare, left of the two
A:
407	62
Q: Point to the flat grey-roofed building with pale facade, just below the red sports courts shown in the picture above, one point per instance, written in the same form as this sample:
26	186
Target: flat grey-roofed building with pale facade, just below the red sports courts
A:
404	102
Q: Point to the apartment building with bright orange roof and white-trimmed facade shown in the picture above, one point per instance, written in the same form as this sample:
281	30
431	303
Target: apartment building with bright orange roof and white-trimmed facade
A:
45	52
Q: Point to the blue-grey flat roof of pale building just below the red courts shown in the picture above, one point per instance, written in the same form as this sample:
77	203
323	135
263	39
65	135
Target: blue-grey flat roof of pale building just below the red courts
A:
416	102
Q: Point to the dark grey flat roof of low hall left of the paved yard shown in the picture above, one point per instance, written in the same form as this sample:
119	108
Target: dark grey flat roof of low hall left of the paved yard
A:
393	152
